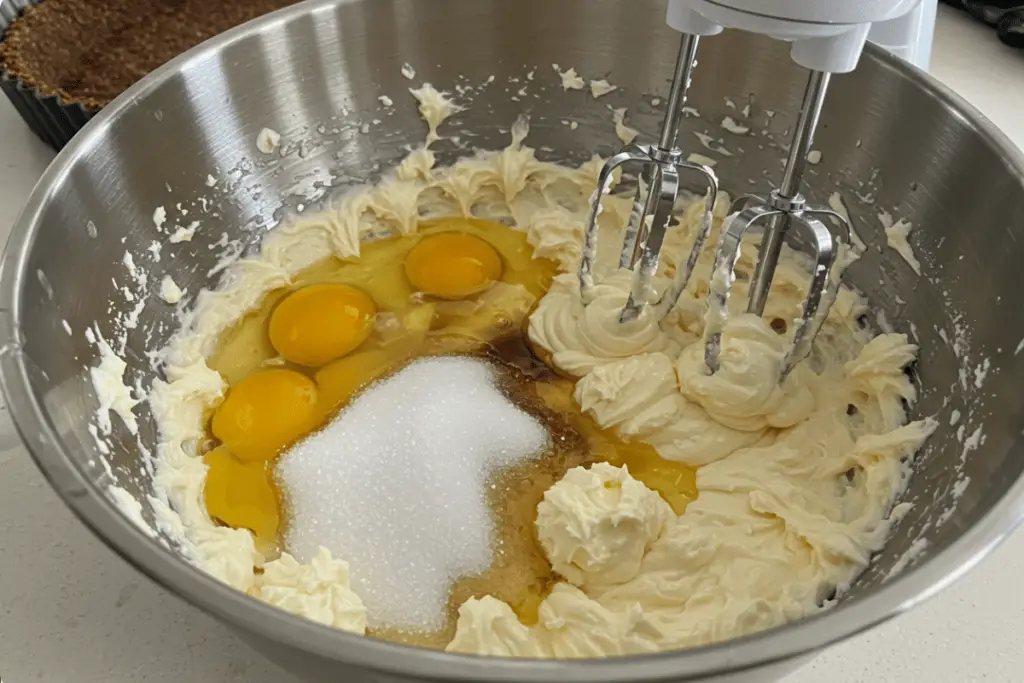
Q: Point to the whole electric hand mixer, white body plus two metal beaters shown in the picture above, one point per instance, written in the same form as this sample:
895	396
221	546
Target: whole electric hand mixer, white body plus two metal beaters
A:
828	37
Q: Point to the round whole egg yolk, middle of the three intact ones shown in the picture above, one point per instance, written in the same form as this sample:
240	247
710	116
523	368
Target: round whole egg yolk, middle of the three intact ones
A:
321	323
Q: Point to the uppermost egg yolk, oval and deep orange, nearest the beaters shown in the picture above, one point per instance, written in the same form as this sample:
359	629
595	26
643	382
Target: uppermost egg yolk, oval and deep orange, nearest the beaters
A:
453	266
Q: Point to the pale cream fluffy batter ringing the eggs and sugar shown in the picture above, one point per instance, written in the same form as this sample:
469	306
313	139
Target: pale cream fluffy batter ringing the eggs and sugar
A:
797	481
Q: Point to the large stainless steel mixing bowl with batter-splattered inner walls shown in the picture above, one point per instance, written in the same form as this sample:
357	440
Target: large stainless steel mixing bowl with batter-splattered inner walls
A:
315	72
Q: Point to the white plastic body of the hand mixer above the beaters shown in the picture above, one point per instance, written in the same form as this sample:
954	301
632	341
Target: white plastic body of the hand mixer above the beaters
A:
827	35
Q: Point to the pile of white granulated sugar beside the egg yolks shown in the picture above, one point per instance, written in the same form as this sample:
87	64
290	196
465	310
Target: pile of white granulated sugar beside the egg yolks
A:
397	486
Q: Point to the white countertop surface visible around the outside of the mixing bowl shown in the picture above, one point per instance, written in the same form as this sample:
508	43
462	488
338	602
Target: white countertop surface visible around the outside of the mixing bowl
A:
71	611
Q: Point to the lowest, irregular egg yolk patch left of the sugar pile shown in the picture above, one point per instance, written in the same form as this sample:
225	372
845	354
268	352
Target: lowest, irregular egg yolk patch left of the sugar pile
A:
242	495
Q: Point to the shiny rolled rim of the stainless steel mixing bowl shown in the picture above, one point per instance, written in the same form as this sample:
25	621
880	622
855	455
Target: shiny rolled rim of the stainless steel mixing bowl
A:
93	507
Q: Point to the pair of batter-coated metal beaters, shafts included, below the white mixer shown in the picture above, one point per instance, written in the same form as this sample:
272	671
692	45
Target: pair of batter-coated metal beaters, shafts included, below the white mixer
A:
780	211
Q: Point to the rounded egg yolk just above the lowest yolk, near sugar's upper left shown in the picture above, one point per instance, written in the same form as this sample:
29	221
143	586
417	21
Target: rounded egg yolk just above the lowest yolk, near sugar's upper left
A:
266	413
